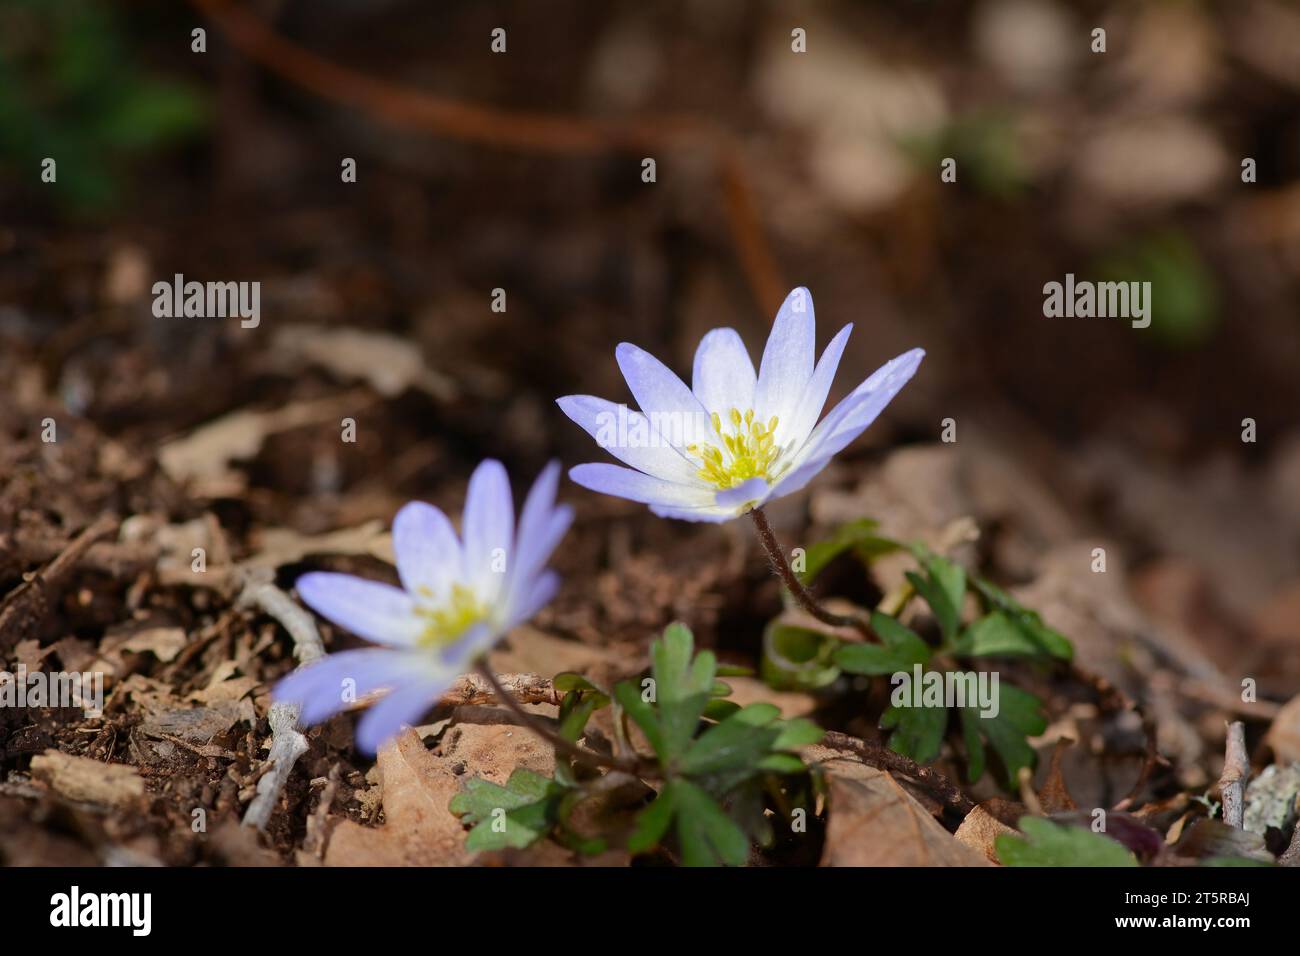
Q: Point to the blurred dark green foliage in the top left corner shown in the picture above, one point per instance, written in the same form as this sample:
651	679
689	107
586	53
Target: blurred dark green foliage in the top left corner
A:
72	89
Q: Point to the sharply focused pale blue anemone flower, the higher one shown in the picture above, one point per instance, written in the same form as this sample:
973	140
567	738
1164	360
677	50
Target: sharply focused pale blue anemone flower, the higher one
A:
735	440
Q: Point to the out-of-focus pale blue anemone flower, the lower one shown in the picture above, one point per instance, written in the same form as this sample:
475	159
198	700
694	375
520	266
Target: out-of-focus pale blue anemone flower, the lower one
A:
458	598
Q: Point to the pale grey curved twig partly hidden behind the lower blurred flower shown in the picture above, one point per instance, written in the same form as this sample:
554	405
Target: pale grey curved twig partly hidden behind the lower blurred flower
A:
287	743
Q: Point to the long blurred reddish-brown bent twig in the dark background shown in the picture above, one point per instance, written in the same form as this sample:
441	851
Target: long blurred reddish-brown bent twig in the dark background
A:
526	131
